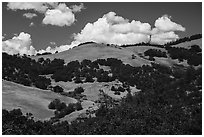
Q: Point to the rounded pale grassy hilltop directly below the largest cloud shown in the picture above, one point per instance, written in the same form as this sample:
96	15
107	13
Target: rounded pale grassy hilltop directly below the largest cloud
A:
96	51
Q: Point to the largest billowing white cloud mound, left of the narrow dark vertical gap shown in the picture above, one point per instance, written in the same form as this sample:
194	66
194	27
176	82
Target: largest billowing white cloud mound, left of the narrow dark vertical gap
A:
114	29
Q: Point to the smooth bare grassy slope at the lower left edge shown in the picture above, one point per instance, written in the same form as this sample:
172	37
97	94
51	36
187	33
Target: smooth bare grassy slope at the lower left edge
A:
30	99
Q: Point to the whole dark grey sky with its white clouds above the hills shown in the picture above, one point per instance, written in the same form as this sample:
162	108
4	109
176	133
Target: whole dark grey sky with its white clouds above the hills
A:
30	28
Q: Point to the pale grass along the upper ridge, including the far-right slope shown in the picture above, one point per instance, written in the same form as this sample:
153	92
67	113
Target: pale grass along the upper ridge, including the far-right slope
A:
93	51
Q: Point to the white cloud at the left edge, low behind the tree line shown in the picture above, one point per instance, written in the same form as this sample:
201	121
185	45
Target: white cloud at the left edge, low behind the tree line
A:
21	44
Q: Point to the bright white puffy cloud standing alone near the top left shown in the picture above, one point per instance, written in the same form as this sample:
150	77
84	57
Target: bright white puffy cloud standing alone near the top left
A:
60	16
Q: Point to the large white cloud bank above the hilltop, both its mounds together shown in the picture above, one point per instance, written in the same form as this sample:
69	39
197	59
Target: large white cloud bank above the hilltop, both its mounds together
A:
113	29
